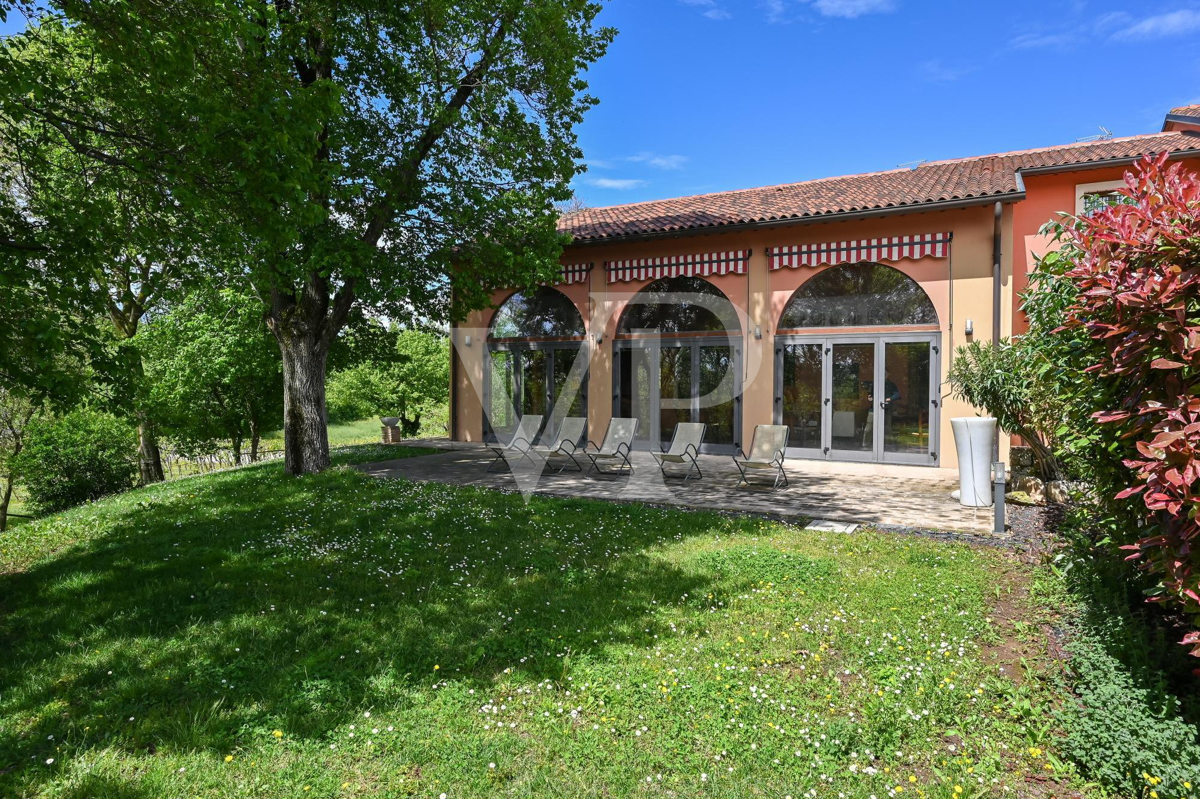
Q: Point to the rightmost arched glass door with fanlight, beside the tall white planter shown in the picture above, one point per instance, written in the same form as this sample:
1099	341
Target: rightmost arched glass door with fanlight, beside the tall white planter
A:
847	392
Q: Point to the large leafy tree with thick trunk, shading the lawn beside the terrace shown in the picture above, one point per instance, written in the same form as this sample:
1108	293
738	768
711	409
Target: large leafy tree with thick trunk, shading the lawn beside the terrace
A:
363	152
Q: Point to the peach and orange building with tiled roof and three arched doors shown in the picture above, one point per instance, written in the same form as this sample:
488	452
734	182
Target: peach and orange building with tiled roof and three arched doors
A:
833	307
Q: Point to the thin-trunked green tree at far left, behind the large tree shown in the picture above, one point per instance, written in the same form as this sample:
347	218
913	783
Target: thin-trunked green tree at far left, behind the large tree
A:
89	211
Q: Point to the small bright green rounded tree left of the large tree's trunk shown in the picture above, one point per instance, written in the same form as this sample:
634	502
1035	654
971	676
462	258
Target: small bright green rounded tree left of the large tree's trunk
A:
213	370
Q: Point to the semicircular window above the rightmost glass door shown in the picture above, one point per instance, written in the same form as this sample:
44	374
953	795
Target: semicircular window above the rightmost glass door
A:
859	296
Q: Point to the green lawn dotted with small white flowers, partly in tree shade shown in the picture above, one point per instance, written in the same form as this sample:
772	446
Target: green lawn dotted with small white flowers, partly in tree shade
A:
250	635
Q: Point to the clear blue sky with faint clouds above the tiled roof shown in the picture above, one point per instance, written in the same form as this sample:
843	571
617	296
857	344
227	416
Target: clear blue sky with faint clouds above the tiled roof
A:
710	95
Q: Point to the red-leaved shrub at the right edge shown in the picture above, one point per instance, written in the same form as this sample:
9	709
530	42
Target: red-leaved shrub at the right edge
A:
1138	275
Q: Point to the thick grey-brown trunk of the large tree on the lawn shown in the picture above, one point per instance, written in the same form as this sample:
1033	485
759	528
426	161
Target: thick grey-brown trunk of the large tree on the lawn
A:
305	435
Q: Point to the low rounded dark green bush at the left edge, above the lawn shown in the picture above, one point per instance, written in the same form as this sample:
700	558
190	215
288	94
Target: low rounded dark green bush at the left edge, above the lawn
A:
77	458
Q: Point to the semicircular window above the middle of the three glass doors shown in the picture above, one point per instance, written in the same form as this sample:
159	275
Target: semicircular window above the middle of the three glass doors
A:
674	305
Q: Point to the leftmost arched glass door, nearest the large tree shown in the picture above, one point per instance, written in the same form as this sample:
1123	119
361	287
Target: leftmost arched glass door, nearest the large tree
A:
537	363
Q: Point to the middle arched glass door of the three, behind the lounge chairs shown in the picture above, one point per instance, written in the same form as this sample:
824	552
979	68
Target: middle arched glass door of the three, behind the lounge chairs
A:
679	359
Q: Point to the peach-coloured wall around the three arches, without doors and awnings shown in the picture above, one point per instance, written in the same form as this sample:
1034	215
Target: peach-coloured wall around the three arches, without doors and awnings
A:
761	296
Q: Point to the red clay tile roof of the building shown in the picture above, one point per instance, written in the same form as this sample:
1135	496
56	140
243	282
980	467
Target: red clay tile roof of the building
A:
962	179
